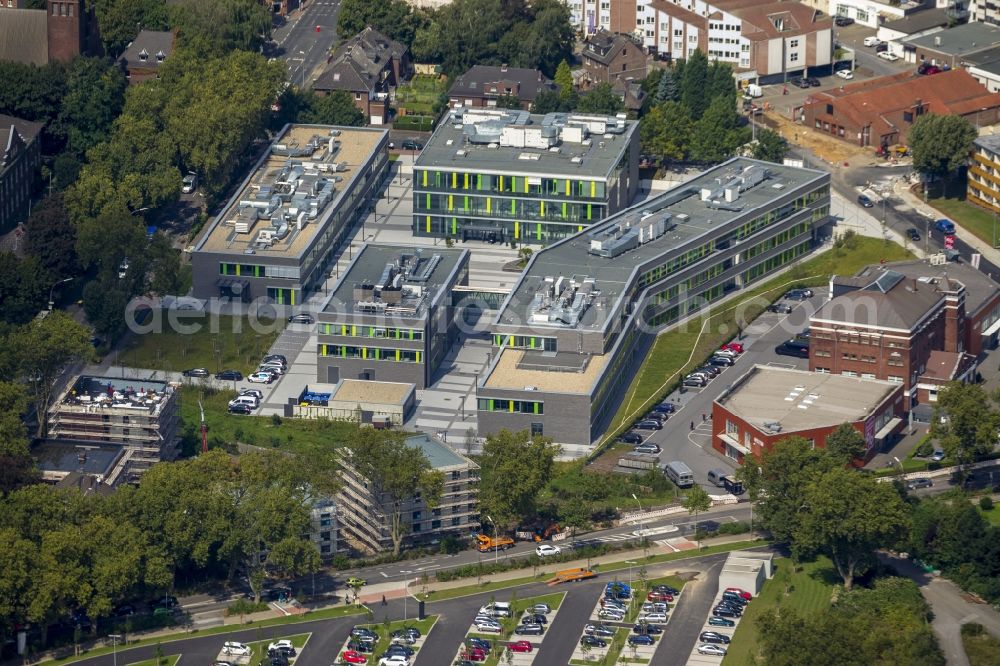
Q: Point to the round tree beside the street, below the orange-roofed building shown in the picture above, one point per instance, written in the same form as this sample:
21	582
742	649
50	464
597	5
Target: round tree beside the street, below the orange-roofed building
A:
940	144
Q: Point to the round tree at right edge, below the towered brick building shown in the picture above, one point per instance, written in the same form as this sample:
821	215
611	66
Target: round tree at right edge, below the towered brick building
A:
969	431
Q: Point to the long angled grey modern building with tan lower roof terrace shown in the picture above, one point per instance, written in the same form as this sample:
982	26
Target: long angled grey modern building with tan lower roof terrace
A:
573	332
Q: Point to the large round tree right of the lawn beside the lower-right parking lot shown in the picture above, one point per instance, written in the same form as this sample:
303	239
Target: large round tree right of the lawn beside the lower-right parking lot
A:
848	516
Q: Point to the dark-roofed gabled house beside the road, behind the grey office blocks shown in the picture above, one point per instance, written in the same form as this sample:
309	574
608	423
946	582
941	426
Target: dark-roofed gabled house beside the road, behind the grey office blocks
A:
368	66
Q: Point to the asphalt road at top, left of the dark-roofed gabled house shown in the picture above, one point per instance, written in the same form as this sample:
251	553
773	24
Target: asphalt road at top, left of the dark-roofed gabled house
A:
305	39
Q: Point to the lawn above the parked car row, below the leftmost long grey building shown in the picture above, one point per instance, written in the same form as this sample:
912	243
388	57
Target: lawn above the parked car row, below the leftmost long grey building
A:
215	342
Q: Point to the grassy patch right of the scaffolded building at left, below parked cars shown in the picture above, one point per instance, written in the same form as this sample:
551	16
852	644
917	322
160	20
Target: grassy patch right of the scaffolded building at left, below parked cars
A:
296	435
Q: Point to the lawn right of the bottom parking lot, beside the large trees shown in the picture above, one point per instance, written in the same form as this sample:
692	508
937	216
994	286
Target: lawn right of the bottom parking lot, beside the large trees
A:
807	591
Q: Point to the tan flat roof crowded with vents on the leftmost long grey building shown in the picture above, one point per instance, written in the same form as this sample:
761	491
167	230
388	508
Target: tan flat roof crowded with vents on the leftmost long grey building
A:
292	193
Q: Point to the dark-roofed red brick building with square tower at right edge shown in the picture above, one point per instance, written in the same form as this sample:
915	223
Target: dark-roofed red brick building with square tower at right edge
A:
916	324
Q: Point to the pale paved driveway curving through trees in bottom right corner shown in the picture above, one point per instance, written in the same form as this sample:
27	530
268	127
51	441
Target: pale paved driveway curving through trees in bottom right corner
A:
951	609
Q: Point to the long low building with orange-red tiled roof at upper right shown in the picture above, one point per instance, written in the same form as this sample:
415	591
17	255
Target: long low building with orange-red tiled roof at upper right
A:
880	112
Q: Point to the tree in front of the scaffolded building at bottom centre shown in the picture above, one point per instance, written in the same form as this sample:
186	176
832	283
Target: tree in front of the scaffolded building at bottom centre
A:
398	474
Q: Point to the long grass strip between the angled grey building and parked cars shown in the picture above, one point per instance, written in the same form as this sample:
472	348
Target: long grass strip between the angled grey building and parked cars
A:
688	345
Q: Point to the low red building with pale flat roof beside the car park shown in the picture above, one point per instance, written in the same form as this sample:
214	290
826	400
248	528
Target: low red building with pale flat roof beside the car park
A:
769	404
